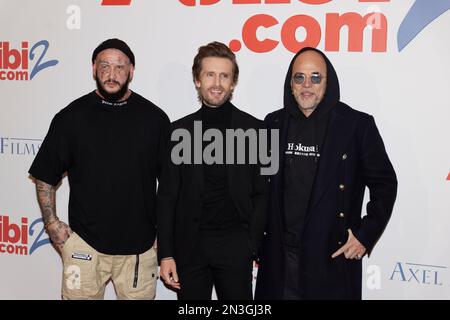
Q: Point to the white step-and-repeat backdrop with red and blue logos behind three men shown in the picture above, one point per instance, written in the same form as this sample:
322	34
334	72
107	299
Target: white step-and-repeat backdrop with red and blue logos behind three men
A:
392	59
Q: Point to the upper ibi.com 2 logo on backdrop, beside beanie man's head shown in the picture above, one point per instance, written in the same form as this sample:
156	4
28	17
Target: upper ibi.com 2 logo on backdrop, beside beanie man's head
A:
25	62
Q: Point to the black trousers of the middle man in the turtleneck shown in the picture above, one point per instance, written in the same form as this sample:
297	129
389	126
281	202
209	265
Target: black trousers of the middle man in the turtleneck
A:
220	260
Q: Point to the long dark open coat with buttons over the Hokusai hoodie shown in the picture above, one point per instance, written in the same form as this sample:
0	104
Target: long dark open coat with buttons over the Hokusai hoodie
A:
353	157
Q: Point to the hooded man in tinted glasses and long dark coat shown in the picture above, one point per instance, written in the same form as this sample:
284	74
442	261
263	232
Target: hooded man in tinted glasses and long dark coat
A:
329	154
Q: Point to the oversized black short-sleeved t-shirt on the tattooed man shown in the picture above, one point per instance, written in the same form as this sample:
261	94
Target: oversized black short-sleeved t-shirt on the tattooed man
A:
112	153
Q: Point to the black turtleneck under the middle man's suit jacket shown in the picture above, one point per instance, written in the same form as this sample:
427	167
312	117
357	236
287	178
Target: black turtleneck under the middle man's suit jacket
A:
218	211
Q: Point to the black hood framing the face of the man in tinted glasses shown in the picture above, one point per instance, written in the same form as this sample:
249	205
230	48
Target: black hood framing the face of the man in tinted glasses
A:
331	96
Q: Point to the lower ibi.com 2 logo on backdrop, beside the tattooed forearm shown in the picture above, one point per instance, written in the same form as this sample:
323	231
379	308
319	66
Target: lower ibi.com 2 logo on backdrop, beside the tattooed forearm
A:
15	238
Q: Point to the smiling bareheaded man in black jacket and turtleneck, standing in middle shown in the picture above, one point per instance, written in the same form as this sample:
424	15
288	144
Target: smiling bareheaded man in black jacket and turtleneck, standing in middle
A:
212	211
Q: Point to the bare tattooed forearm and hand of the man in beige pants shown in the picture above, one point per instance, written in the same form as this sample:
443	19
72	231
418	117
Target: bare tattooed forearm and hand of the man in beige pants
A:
58	231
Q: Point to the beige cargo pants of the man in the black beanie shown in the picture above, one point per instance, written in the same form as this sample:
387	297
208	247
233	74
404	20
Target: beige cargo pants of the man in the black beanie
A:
86	272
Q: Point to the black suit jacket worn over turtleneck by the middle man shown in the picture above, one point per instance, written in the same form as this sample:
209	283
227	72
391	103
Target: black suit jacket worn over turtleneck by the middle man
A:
179	202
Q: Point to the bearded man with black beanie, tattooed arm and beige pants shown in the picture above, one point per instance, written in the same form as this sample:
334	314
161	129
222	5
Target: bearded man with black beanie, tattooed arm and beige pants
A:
111	143
